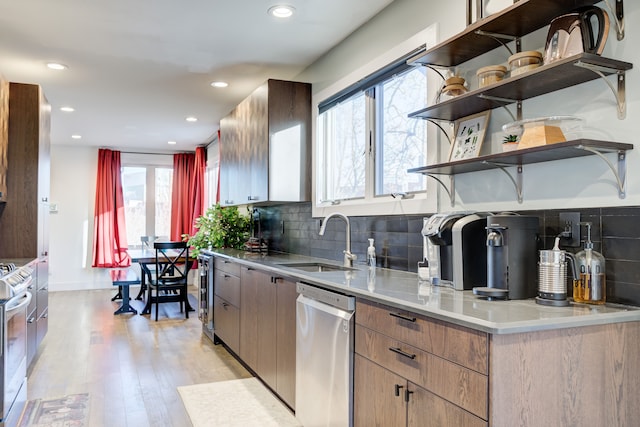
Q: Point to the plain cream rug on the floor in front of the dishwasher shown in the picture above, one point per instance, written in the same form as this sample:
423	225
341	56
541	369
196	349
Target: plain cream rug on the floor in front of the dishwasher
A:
235	403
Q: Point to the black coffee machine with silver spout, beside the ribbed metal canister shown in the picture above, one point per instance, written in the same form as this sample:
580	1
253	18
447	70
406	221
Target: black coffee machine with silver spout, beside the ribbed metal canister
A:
512	247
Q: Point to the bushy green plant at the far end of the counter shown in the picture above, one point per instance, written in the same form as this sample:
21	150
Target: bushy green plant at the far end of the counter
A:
219	227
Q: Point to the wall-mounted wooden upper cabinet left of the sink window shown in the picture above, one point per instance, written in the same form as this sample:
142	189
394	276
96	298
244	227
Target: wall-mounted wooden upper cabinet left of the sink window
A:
265	146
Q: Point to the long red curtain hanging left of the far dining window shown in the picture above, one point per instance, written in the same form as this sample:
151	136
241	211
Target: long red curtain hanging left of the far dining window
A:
109	232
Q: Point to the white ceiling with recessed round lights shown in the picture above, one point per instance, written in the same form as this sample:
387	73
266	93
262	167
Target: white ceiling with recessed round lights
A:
138	68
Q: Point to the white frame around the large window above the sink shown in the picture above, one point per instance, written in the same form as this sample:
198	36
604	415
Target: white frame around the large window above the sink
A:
422	202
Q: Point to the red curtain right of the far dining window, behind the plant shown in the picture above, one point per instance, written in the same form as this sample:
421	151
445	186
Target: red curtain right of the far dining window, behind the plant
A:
187	196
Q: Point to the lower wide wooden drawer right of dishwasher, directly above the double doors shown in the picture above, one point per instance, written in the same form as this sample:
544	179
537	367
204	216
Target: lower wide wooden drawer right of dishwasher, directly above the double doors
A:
457	384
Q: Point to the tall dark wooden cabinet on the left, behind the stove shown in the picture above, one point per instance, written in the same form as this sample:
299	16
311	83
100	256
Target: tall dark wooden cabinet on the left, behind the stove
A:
24	218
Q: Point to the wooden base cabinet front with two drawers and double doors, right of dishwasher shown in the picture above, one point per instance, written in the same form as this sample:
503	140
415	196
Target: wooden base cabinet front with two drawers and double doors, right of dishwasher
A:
436	371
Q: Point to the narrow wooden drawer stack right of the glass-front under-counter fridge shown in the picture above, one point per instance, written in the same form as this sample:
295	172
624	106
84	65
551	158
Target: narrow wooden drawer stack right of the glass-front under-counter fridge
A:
226	303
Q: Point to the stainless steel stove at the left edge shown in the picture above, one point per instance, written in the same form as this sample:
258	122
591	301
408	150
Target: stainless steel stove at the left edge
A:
14	300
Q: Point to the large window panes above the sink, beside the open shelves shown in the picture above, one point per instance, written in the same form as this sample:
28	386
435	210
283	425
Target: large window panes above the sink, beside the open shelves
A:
365	140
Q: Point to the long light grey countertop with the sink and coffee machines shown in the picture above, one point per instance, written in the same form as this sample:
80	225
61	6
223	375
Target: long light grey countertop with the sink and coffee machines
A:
404	290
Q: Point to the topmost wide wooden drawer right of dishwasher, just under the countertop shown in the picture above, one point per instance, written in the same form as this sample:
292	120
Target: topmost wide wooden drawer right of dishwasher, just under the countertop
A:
458	344
